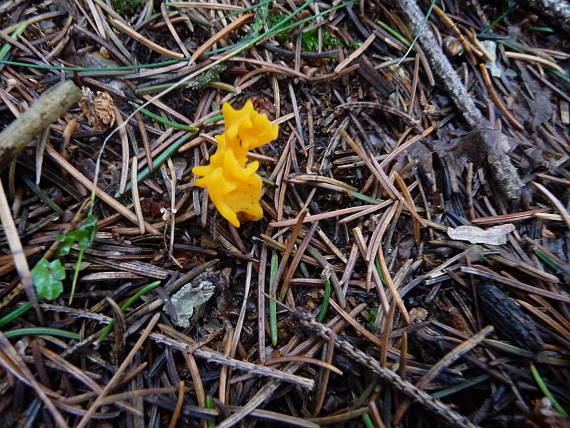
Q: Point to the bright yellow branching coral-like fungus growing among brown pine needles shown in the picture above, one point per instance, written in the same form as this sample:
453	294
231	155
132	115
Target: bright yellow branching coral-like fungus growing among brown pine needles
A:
233	186
